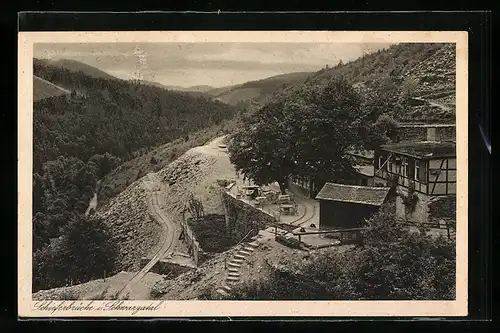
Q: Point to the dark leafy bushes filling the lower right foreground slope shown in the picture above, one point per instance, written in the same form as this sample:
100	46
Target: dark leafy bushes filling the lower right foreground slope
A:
393	264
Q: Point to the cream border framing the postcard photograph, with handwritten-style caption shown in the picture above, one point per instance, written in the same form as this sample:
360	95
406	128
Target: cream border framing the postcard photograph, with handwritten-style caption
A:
194	308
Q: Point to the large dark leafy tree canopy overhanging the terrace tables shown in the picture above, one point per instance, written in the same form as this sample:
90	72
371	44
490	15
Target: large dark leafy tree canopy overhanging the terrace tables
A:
306	131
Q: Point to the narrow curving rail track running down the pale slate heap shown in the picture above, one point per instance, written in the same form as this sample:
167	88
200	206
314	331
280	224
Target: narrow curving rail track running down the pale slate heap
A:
167	243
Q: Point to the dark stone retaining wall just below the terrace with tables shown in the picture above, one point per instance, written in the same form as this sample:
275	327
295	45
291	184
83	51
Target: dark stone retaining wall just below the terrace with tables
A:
243	218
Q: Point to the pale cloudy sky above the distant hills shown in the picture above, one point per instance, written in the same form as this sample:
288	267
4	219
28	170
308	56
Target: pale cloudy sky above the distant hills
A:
214	64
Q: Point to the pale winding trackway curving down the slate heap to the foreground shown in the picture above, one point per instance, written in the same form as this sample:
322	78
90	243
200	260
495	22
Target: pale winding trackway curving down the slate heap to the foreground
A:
168	236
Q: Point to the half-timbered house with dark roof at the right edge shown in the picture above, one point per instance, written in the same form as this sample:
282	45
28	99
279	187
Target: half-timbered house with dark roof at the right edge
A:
424	170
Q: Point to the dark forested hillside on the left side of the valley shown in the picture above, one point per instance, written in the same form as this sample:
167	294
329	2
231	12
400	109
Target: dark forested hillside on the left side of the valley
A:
79	138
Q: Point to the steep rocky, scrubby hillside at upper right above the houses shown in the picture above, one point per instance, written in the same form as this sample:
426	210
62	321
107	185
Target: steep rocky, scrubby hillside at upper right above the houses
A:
416	80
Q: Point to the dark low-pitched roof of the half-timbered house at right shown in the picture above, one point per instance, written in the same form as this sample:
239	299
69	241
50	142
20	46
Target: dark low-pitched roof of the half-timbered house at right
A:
424	150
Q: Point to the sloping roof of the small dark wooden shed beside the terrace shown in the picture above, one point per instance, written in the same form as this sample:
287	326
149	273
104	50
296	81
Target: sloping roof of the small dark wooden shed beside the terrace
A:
366	195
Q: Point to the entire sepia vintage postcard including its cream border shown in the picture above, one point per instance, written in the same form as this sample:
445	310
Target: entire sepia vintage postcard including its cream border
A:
236	173
